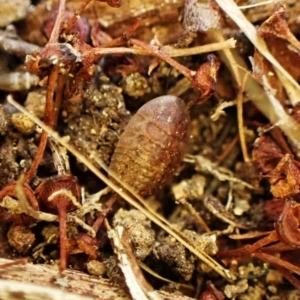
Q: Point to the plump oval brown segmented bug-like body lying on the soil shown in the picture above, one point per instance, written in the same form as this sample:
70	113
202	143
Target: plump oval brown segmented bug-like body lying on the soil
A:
152	145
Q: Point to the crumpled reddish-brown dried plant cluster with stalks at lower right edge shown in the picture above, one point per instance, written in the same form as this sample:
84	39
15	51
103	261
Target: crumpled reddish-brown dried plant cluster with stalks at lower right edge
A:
282	171
